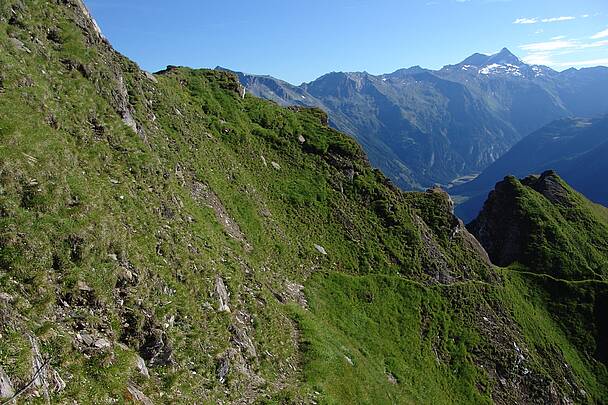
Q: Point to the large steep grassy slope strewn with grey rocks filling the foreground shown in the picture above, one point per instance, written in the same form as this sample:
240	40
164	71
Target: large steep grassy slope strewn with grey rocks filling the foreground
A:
165	238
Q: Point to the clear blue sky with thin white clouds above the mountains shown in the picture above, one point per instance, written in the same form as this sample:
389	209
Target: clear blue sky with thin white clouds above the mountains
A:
299	40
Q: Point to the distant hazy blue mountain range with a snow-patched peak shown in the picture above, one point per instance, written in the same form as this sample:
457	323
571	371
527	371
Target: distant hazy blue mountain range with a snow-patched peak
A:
423	127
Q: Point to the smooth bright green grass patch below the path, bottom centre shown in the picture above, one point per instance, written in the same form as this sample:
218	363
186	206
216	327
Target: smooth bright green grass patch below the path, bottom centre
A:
363	330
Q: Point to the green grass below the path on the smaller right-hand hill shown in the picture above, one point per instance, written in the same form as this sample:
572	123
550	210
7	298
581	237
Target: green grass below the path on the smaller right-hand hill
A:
561	318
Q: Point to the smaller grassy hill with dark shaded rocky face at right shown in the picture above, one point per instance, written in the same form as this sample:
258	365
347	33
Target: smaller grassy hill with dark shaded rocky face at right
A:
556	243
